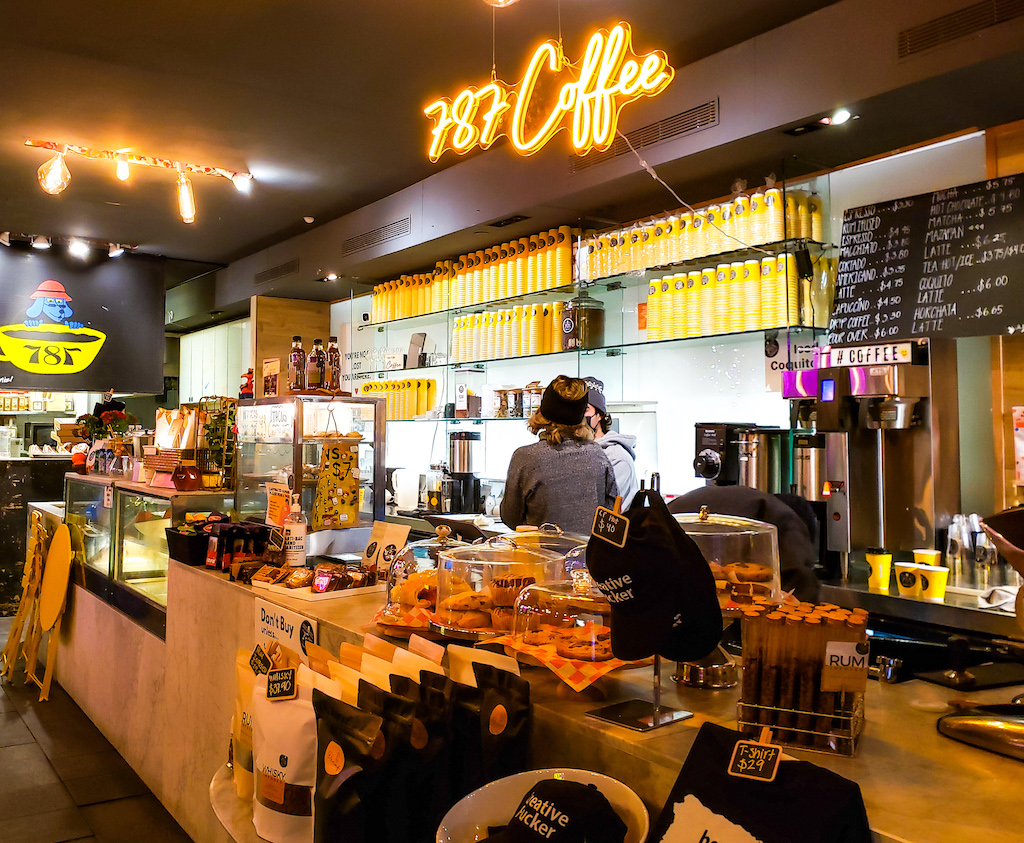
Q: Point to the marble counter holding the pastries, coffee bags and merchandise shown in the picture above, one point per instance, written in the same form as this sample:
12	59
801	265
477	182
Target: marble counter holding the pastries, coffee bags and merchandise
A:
167	707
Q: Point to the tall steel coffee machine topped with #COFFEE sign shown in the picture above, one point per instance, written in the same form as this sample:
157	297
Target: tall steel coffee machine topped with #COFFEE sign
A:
882	445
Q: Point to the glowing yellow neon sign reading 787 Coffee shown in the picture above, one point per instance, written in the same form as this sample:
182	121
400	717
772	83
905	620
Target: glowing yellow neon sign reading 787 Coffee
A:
609	76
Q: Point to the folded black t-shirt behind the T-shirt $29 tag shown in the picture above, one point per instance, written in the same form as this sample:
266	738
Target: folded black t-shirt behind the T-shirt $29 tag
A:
804	805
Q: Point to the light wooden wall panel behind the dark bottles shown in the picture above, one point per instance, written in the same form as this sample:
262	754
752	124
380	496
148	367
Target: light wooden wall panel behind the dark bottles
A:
275	322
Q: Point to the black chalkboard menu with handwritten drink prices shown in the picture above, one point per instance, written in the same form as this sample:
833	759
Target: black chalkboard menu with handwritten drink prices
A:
949	264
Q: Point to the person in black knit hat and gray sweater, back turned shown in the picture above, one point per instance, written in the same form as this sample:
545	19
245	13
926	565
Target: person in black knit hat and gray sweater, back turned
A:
565	477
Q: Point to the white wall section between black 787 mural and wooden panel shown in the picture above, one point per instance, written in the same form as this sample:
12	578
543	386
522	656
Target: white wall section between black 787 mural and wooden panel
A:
214	362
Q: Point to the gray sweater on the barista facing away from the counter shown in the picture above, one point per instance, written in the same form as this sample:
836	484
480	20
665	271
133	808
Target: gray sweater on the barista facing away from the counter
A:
558	484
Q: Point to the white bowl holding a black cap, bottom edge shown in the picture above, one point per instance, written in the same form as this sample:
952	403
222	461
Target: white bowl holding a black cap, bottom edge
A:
494	806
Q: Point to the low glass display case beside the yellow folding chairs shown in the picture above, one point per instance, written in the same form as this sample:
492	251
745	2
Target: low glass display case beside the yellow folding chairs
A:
118	537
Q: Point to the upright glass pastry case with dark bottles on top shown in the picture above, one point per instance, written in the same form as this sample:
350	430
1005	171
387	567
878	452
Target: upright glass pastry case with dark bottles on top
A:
285	441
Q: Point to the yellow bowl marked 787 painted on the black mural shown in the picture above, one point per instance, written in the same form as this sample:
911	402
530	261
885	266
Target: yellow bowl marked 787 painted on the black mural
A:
51	350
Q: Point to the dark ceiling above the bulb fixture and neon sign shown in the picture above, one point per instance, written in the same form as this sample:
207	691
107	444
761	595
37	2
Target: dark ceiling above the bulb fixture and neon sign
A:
321	101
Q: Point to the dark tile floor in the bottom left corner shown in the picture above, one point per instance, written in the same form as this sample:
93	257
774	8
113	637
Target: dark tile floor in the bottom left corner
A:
62	781
